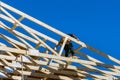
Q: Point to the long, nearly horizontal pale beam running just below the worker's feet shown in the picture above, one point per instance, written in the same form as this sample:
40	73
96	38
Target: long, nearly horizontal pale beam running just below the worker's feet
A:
53	57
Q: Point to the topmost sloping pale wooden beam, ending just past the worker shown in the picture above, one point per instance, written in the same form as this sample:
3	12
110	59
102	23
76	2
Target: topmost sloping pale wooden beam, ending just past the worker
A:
42	24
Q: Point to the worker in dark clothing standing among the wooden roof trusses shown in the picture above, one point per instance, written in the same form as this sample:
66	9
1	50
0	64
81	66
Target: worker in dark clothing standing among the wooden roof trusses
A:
68	46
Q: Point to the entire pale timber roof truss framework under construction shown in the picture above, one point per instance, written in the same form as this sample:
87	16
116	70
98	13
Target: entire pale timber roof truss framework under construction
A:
29	53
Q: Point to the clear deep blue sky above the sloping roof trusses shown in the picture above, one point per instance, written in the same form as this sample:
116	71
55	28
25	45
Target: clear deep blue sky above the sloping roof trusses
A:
95	22
